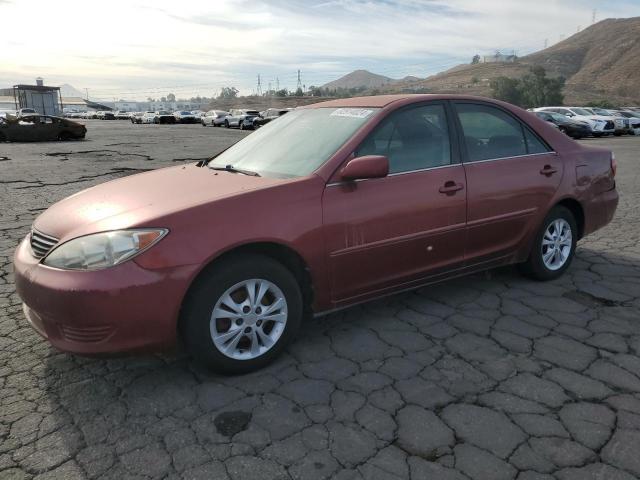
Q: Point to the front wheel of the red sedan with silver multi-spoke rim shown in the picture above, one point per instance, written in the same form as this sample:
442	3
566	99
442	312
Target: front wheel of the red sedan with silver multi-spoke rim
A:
198	323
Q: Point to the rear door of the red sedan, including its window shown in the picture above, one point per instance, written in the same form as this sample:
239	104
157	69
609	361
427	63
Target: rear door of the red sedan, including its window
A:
512	176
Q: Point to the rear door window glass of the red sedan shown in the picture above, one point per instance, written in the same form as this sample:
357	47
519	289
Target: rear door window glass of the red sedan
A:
491	133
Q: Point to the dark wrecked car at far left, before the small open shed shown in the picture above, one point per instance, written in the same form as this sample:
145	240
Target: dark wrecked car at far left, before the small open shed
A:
39	128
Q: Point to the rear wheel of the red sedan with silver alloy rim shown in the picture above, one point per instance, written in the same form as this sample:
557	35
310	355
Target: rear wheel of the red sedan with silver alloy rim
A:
535	267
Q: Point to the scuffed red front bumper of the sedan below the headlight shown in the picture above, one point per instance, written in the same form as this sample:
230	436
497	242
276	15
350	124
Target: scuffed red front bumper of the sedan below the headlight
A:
123	308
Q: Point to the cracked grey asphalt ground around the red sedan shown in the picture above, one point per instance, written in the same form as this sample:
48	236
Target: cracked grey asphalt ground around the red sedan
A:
488	377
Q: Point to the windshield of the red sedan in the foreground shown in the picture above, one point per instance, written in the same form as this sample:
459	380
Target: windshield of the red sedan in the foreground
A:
297	144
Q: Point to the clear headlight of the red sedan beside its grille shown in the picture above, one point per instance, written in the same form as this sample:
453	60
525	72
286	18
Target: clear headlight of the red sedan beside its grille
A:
102	250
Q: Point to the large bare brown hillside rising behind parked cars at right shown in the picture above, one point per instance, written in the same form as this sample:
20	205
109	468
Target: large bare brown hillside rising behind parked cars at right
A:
600	63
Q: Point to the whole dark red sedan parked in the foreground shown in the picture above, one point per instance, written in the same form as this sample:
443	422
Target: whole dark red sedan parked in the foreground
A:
333	204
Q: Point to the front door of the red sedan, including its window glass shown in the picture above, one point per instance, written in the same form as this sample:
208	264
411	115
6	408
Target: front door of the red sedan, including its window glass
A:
390	232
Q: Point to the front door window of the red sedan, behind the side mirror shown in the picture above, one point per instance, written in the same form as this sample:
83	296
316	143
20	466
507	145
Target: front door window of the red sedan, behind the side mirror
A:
412	139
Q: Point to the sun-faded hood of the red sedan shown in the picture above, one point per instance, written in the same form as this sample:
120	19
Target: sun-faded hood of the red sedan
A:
140	199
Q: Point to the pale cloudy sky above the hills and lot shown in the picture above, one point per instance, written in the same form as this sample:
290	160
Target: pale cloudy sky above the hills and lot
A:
134	49
